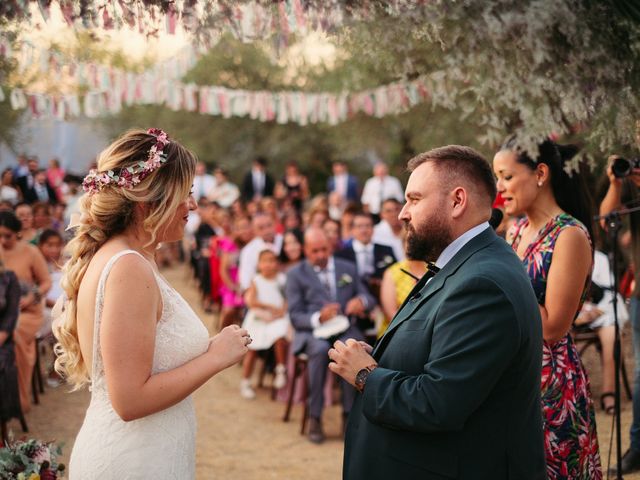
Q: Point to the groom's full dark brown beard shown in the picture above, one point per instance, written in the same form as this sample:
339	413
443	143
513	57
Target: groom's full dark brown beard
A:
429	240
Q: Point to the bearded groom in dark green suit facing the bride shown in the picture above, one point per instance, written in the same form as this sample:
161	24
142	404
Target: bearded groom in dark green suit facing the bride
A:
452	389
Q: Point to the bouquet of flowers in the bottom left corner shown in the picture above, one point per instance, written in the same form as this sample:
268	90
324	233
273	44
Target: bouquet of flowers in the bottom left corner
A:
30	460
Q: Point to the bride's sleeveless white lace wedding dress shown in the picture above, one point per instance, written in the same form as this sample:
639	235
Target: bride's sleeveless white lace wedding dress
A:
159	446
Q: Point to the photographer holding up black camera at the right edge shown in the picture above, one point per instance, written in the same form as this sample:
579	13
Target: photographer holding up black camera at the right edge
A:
624	192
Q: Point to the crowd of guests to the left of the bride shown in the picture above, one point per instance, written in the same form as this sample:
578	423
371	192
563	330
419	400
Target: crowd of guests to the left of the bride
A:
33	205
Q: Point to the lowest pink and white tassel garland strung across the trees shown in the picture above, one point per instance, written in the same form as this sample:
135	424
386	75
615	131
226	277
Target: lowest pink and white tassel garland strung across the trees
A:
283	107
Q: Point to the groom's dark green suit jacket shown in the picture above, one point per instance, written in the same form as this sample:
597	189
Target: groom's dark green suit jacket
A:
457	390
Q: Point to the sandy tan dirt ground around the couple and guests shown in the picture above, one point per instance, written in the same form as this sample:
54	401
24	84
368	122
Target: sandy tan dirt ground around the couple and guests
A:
246	440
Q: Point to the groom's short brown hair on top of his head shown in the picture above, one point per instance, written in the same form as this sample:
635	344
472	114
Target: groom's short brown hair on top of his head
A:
458	163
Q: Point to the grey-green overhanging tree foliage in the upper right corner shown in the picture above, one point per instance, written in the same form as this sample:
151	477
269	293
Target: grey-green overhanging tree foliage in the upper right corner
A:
531	68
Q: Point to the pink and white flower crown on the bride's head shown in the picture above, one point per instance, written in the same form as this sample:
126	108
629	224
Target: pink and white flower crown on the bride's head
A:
131	176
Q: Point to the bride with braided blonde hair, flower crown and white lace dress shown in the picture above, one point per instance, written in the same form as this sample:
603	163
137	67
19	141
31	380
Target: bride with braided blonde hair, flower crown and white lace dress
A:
124	329
